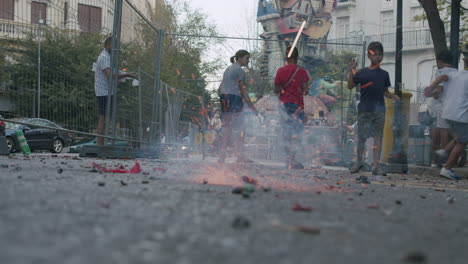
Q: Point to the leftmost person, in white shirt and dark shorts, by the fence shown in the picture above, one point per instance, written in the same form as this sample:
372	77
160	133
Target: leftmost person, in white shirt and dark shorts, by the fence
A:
102	74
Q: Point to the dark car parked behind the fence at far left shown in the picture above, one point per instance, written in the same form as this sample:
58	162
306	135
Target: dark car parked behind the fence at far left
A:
38	138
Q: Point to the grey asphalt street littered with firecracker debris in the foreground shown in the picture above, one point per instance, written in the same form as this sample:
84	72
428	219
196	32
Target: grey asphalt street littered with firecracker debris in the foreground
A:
60	209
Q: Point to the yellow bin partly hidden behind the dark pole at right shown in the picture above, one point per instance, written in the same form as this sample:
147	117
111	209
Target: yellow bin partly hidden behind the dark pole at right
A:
387	143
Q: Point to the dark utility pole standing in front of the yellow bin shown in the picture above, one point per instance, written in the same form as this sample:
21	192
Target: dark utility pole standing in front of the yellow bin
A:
398	158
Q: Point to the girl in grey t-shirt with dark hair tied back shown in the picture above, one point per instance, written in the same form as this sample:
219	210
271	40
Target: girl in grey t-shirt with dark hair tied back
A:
233	94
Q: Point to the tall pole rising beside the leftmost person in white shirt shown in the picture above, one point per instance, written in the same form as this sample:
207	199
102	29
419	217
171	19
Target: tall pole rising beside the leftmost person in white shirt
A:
112	94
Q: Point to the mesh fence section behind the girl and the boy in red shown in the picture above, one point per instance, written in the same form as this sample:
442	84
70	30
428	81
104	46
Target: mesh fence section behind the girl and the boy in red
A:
330	107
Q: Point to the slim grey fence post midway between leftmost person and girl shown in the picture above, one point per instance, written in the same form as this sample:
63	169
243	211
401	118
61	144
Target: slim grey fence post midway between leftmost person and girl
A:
157	94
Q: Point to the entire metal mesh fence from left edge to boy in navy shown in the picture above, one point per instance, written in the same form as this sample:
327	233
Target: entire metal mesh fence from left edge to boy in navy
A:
47	72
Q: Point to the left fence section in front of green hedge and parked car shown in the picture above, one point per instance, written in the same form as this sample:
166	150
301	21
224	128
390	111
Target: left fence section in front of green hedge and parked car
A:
48	57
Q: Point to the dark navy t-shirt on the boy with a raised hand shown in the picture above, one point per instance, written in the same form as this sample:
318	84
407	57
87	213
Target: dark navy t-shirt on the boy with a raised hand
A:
374	82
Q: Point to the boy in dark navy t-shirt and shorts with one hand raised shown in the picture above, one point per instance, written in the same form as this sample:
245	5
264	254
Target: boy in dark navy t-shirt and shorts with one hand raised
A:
374	83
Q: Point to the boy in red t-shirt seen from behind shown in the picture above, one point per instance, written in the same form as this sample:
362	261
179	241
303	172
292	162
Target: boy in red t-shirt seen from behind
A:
291	84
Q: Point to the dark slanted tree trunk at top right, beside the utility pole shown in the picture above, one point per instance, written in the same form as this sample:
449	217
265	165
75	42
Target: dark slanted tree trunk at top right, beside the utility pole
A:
436	25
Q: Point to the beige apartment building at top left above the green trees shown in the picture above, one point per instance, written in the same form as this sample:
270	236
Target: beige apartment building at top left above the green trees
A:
20	17
